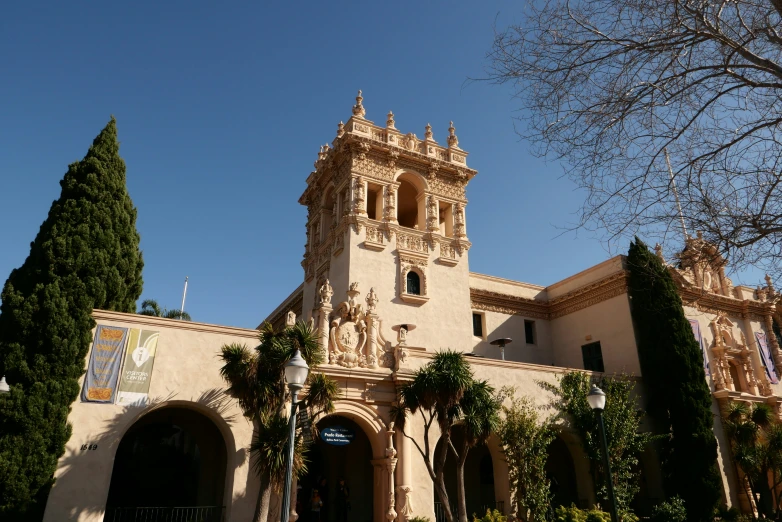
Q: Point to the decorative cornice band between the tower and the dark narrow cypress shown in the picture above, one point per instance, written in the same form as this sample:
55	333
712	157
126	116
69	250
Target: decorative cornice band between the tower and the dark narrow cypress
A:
586	296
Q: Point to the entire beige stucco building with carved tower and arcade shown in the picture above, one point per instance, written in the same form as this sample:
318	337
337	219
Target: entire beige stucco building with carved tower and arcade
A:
386	282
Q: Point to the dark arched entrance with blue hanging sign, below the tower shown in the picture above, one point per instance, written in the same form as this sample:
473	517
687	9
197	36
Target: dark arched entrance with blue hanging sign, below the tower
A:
329	460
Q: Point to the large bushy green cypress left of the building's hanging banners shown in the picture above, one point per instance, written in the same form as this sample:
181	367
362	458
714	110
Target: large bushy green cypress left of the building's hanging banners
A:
86	255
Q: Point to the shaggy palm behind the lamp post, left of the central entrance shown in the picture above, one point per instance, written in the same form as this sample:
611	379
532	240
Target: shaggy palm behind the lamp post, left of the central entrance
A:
256	379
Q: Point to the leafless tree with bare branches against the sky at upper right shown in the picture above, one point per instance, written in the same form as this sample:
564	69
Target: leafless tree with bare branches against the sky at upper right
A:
612	88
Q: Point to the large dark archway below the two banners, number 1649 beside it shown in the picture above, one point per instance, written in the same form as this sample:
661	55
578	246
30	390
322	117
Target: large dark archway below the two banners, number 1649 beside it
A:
171	462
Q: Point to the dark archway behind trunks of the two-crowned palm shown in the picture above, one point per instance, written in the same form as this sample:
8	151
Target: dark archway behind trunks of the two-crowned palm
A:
478	480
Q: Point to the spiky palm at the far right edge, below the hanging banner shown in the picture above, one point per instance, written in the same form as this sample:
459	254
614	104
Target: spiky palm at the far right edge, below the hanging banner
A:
755	434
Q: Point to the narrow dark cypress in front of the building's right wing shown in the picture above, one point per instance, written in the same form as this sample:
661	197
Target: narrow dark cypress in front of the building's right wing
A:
679	399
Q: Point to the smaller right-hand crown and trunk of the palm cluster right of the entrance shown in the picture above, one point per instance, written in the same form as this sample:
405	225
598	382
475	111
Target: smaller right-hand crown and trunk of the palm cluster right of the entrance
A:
479	419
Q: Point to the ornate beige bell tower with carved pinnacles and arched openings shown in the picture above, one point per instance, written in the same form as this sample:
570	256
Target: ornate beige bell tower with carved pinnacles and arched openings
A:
386	225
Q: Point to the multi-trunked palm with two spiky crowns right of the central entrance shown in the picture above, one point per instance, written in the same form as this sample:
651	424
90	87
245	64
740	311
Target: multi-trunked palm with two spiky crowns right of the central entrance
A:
444	391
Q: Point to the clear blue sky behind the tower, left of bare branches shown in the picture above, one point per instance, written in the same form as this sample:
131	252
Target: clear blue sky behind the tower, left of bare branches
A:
221	109
